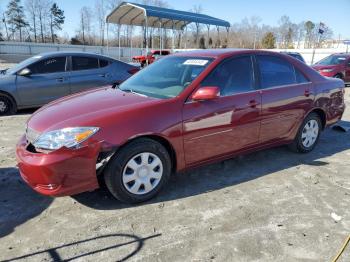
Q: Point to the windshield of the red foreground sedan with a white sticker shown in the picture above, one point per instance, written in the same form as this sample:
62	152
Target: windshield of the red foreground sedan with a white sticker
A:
166	78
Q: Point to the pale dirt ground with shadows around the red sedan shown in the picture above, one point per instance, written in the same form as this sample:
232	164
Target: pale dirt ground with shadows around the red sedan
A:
273	205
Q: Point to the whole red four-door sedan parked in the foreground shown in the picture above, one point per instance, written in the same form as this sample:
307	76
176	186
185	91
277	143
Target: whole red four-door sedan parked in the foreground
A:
185	110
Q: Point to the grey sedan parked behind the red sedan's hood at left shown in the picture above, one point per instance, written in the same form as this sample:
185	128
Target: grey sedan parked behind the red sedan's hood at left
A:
43	78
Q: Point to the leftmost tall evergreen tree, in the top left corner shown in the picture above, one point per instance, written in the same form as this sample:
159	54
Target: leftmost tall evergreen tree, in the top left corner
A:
15	17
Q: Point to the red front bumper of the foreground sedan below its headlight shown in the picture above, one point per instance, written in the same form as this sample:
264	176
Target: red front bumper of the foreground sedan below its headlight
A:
60	173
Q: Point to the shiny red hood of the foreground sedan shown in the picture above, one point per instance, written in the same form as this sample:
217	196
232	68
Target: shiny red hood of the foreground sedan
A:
90	108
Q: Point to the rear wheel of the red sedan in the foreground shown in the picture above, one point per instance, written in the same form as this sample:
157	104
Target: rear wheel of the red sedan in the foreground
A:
300	143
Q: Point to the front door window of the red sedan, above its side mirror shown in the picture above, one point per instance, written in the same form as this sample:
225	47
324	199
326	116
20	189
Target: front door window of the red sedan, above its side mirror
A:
232	76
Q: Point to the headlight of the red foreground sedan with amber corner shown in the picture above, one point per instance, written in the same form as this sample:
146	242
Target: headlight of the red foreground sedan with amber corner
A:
69	137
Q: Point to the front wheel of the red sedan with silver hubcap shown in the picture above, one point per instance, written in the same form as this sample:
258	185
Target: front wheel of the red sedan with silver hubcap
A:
130	164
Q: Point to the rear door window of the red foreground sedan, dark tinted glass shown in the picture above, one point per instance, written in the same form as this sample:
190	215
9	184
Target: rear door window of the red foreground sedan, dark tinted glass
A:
275	71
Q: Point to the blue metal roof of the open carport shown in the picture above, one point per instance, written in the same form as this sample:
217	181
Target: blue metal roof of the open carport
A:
151	16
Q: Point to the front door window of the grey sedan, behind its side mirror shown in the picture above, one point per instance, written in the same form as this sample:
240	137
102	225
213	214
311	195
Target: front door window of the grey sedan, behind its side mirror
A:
50	65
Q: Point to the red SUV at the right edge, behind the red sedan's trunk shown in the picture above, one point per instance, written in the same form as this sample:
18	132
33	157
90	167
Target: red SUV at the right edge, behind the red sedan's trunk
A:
337	65
